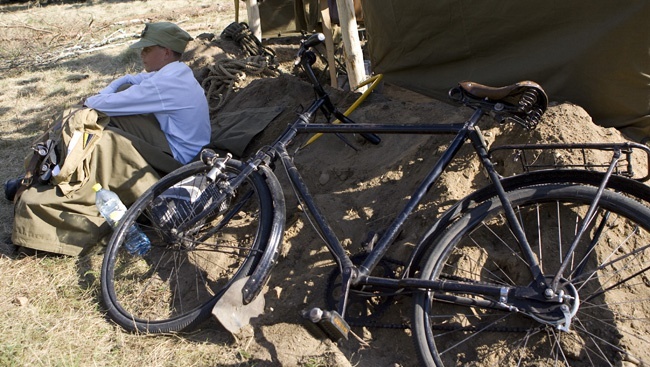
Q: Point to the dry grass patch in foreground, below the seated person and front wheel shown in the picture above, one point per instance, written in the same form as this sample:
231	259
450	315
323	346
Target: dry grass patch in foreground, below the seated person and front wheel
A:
51	317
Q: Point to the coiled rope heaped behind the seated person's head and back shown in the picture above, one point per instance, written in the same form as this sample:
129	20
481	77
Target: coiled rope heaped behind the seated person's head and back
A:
226	75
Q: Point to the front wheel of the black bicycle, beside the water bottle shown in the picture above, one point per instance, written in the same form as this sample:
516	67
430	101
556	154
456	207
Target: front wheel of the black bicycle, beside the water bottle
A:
177	283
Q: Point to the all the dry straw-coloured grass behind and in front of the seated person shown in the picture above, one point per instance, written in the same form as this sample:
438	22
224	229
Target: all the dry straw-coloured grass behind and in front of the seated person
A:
50	307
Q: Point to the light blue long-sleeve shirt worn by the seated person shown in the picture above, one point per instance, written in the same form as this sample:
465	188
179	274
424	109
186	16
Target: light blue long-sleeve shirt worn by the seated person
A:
173	95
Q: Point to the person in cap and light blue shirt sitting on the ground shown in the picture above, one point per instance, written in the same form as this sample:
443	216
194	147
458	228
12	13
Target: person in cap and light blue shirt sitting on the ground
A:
154	122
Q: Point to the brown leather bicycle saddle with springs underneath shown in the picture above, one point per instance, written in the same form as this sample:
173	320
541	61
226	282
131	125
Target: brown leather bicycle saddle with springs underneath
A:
524	102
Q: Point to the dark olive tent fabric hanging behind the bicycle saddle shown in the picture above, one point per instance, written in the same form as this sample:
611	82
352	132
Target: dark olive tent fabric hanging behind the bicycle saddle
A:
591	53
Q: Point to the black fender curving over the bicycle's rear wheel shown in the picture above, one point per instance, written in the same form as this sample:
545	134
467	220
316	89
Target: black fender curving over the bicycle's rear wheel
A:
638	190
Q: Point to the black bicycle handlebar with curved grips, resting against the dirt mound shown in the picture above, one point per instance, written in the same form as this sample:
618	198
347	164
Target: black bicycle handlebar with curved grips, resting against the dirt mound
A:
306	58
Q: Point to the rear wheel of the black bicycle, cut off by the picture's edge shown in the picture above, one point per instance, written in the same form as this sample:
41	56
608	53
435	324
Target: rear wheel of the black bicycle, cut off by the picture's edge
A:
607	280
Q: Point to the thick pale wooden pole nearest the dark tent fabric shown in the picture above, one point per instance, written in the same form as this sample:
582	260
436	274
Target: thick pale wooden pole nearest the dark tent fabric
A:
351	43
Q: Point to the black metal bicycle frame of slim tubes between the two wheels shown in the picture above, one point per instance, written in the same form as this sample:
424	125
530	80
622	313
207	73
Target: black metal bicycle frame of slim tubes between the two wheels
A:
353	275
